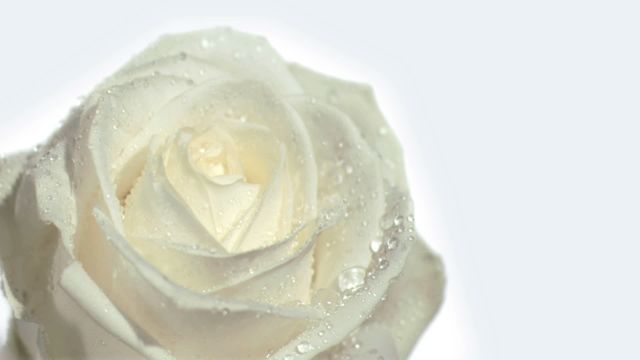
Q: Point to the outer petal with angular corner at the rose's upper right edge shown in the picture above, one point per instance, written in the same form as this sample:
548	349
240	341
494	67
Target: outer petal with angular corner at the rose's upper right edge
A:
358	102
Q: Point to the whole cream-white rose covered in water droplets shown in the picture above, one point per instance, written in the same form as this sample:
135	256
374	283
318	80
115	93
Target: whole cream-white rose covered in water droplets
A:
210	201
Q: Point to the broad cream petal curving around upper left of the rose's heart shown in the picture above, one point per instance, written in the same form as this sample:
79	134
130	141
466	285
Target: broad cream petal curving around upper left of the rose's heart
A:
119	134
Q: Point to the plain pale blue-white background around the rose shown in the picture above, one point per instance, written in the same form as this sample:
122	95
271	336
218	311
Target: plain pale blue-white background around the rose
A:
519	119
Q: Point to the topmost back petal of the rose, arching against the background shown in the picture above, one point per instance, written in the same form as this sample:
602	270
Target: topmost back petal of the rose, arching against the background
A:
242	55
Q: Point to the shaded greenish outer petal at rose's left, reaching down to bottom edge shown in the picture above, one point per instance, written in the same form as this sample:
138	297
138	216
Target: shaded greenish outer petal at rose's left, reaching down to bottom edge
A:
35	240
